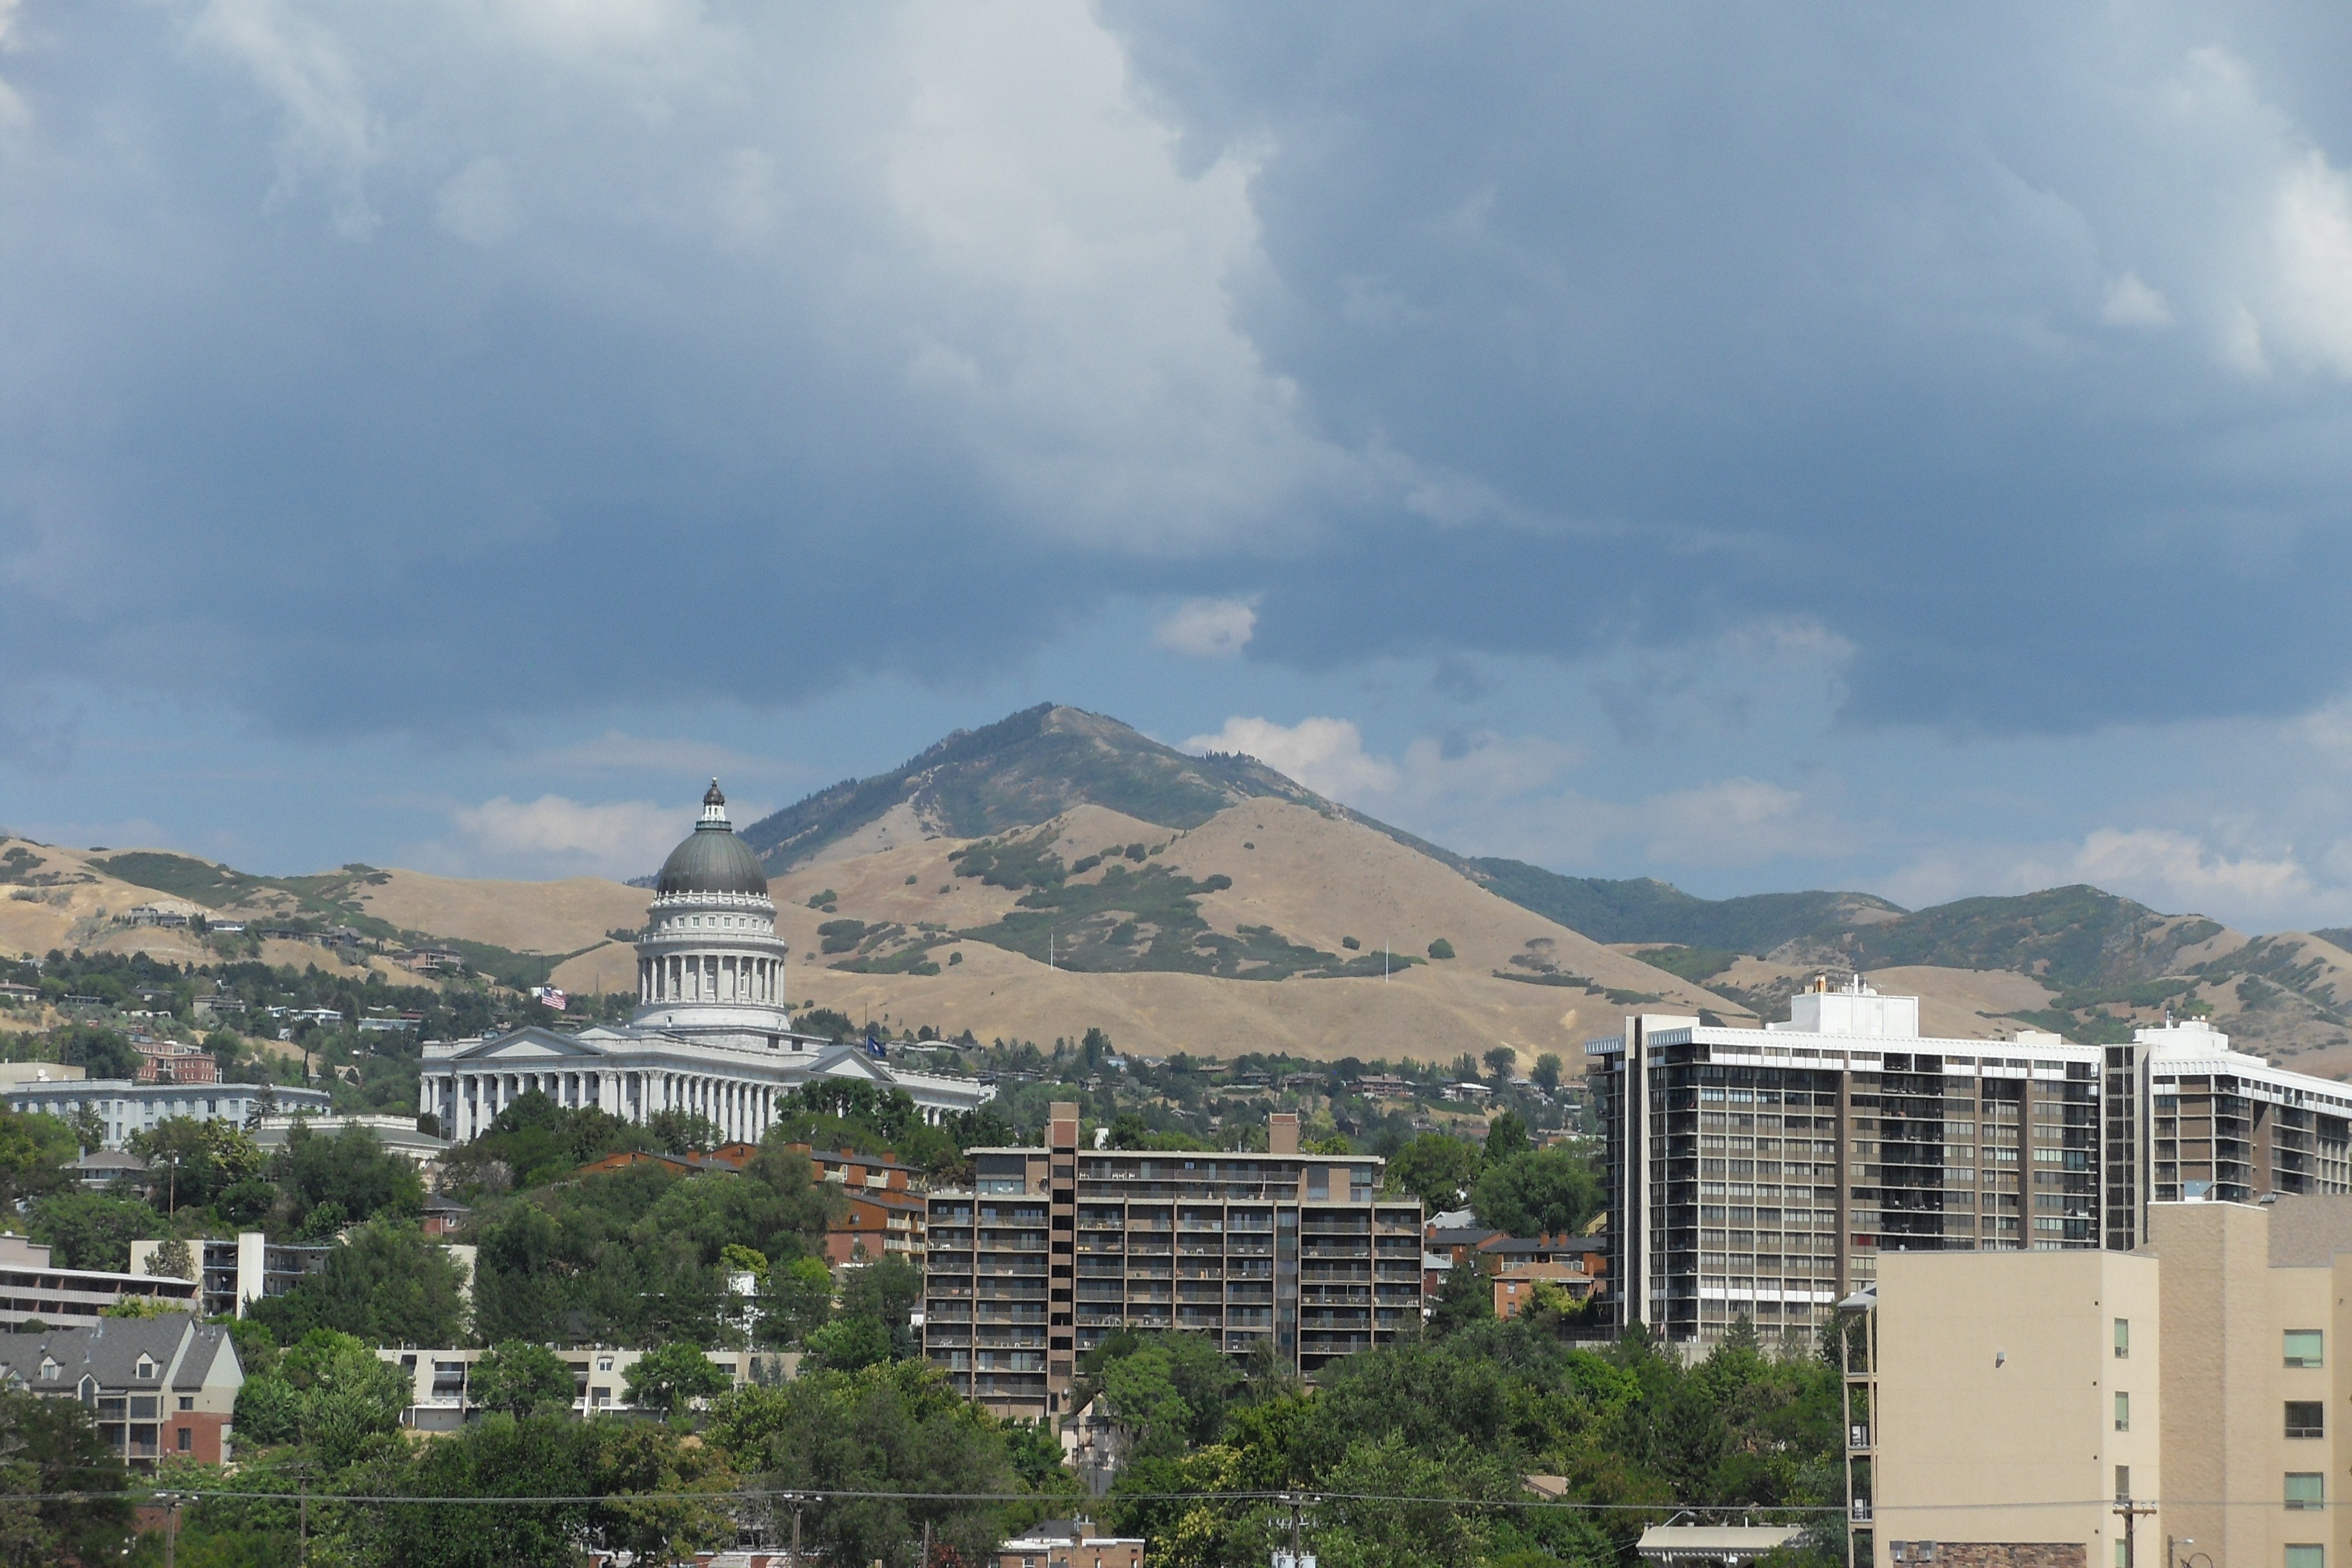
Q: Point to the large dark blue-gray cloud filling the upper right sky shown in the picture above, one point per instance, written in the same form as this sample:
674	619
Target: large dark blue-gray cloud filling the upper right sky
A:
1815	311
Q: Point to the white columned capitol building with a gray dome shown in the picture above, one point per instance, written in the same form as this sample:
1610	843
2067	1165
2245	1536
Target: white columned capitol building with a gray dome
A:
711	1033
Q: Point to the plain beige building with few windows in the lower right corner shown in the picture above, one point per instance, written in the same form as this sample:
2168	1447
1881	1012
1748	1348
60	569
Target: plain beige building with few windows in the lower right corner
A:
2113	1409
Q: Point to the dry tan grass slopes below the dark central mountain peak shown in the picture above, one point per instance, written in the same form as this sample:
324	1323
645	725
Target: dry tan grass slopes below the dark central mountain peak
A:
1314	878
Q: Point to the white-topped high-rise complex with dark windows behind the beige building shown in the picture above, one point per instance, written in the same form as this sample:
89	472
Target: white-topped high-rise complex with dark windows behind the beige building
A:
1763	1172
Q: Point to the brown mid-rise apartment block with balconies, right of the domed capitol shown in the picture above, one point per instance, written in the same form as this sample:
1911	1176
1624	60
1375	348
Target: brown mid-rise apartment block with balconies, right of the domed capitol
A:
1055	1247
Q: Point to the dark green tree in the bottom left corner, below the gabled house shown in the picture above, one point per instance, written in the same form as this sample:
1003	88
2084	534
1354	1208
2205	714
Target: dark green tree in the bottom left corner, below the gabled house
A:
53	1449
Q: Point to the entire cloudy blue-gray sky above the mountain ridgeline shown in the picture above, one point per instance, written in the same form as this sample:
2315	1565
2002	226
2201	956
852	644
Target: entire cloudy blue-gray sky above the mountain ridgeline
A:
1760	448
